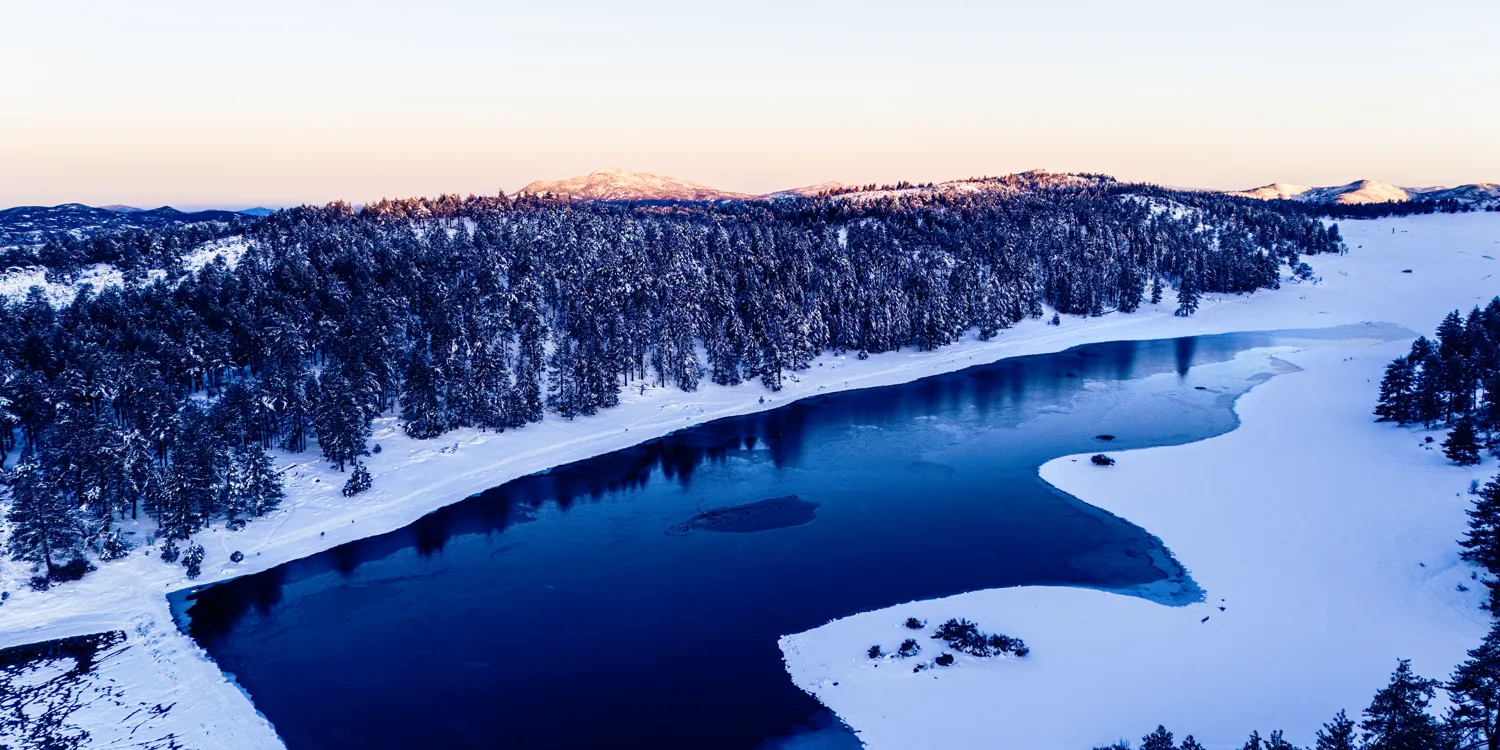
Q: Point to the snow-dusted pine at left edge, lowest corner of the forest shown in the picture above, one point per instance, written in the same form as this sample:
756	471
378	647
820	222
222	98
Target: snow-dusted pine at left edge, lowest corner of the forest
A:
46	527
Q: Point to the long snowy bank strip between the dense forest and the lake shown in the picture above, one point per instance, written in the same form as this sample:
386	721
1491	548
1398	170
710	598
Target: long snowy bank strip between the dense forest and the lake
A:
415	478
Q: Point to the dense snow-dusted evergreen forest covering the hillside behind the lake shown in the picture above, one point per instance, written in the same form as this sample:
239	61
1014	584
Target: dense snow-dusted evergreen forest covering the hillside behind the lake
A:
164	397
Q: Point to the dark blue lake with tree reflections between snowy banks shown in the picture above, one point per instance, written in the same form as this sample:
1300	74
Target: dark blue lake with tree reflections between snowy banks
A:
611	604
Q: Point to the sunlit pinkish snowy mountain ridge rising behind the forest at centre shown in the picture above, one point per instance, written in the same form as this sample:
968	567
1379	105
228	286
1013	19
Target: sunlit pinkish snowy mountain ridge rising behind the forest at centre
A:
620	185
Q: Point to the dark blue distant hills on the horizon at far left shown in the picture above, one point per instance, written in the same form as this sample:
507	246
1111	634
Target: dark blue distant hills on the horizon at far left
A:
32	224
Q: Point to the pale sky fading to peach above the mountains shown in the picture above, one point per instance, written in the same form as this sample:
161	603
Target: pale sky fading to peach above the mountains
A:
281	103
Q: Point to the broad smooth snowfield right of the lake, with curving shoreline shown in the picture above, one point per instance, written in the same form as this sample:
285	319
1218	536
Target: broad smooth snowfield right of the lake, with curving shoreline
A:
1325	544
